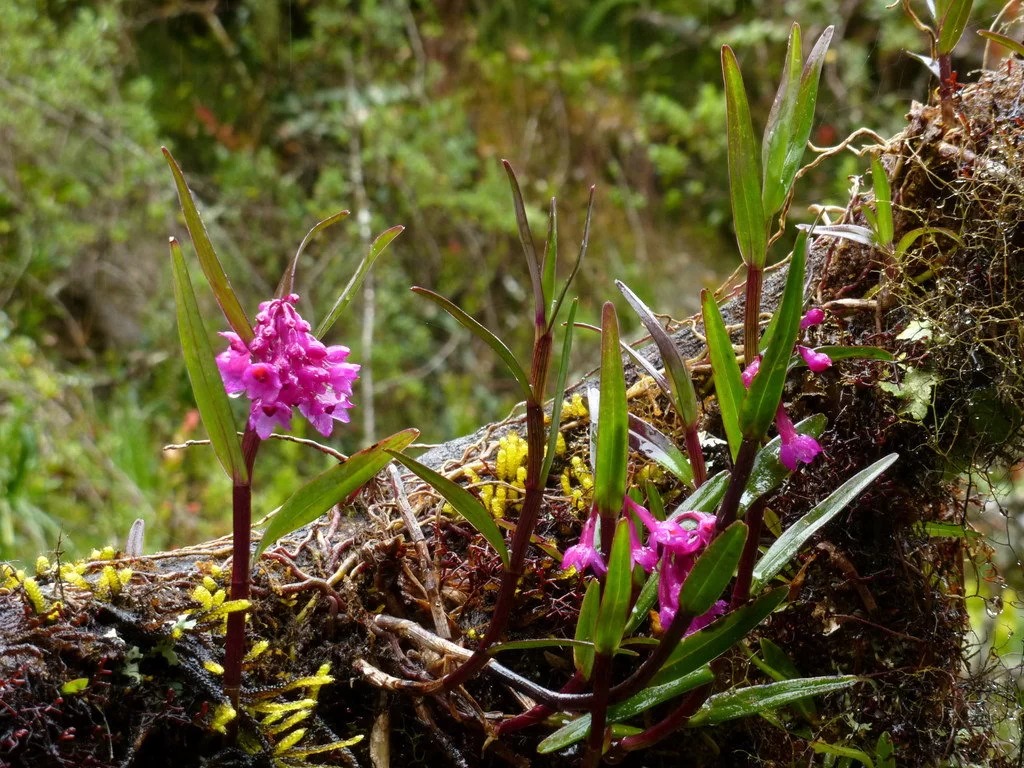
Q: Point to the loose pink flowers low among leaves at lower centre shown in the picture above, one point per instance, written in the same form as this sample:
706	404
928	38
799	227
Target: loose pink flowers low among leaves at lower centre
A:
672	547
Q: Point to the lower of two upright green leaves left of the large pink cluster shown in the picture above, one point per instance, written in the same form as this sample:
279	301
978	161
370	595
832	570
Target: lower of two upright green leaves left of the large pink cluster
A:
208	389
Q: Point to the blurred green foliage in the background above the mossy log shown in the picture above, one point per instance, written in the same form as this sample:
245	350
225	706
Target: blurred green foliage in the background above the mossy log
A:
284	113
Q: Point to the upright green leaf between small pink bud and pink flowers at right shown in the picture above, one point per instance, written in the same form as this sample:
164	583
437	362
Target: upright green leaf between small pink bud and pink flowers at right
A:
766	389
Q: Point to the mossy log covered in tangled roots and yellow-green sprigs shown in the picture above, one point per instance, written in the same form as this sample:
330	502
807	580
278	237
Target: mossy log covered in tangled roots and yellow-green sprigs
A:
115	661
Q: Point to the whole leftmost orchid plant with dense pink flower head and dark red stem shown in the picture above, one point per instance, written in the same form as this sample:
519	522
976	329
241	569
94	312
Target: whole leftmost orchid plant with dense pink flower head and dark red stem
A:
279	364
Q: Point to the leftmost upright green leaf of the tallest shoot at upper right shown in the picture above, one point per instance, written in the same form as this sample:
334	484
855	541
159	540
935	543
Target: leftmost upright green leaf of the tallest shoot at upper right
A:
745	172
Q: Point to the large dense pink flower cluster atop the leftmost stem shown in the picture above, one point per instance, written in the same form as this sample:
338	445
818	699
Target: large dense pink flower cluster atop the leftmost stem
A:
287	367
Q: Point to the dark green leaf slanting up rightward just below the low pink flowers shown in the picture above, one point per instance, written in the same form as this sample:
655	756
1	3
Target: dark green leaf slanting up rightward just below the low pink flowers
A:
706	646
